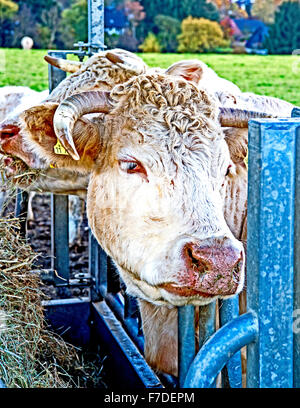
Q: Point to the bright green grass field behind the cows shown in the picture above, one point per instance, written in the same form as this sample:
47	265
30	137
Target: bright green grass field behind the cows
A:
266	75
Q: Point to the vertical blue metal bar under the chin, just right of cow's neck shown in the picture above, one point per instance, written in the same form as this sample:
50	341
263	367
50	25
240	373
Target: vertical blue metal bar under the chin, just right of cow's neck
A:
186	340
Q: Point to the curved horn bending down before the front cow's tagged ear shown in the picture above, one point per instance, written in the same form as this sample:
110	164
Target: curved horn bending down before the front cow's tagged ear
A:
71	109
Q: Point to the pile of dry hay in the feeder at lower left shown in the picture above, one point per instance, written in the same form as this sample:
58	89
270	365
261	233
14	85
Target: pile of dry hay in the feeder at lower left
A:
30	355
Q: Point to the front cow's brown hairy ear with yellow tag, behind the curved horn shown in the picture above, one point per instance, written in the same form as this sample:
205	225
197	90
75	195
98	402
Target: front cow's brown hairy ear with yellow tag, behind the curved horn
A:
41	139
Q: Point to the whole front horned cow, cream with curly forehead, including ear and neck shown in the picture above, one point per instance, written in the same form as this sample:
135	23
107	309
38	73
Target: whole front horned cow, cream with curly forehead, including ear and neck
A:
162	176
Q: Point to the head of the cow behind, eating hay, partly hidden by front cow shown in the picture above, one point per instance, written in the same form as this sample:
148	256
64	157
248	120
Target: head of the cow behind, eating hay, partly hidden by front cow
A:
102	71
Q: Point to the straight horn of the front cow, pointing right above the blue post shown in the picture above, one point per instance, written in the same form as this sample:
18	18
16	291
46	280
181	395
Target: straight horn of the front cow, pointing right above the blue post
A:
231	117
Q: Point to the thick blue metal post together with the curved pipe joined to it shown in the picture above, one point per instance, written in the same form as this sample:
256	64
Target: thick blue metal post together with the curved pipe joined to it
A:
272	268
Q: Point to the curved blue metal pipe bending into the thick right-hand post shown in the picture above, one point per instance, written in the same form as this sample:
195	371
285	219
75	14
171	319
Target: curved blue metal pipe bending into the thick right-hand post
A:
215	353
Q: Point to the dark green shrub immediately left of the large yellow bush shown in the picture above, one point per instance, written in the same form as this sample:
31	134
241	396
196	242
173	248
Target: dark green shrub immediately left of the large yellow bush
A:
169	29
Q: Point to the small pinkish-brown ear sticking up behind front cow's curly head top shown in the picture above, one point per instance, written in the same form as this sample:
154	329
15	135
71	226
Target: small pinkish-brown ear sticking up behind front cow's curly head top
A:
191	70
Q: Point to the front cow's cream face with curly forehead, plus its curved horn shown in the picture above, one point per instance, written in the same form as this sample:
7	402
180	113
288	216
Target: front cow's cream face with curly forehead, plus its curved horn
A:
158	167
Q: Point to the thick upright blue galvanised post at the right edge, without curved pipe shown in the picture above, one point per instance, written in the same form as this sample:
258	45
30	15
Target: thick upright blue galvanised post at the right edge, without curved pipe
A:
270	250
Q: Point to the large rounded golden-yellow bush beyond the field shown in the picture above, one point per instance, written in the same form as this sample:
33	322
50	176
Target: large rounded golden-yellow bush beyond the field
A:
200	35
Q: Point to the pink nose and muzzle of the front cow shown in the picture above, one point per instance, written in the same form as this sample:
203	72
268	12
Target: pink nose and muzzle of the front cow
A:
213	269
